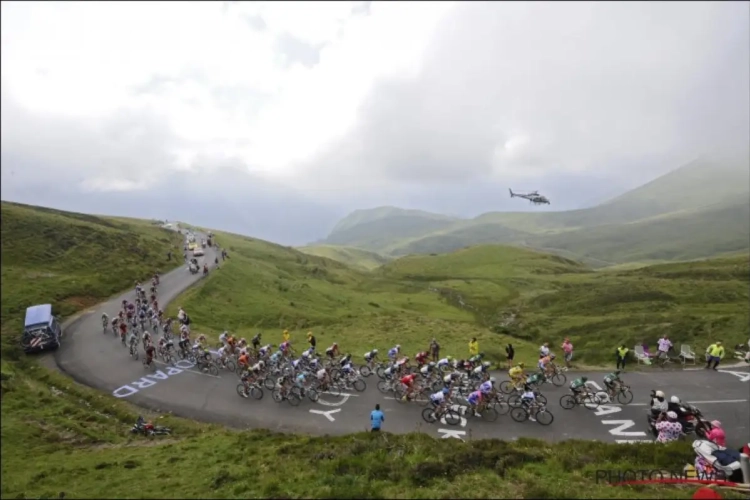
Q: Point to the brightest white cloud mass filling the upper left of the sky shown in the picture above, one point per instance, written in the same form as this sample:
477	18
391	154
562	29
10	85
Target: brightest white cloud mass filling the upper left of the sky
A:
82	61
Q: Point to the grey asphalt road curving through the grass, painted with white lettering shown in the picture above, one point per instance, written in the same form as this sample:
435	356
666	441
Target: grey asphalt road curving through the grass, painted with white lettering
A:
101	361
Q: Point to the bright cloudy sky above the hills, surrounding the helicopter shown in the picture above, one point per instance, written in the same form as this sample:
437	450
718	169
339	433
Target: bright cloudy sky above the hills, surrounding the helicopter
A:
276	119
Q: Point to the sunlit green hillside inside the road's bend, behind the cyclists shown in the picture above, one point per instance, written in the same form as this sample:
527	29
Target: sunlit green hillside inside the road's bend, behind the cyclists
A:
499	294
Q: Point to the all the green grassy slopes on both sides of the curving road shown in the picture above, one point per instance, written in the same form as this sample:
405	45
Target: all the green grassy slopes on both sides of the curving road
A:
62	439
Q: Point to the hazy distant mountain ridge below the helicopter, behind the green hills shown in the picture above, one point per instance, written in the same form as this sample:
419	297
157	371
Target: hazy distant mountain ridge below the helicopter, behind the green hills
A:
699	210
